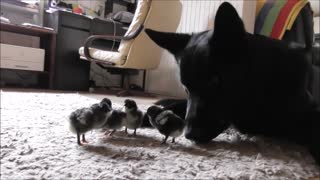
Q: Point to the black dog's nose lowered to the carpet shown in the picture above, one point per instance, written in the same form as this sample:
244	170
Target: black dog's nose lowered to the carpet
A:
198	135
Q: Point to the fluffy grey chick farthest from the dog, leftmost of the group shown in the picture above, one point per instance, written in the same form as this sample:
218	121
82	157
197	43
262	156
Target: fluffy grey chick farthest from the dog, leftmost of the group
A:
86	119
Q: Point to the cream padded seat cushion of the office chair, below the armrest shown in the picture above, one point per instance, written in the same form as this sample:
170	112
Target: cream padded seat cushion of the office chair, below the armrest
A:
103	55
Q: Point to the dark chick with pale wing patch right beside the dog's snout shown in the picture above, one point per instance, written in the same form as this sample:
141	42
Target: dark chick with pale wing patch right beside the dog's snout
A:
167	123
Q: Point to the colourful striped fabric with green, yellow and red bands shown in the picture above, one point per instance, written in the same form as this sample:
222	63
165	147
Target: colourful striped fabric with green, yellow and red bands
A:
274	17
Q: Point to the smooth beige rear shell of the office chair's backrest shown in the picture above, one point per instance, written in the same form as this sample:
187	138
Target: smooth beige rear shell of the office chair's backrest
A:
162	16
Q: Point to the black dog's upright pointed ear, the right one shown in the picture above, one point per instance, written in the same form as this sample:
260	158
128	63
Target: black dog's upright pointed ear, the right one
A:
228	25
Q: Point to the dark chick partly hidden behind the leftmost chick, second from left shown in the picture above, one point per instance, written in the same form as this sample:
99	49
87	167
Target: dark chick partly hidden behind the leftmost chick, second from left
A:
115	121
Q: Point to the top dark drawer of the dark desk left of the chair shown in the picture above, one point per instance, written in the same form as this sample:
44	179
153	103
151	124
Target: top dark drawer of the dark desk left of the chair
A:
75	21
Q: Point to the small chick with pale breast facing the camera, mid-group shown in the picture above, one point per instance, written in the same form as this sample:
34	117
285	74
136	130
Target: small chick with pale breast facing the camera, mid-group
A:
134	115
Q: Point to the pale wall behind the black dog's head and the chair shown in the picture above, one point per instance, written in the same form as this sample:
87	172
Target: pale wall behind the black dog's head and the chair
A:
196	16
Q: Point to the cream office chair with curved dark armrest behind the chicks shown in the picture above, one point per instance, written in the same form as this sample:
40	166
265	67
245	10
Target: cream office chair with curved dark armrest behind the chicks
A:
136	50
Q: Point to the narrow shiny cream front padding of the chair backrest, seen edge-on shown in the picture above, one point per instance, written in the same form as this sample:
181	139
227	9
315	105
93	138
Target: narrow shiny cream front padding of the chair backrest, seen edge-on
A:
138	19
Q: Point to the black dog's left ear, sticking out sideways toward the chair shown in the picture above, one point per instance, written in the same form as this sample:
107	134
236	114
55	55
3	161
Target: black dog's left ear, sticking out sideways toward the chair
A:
173	42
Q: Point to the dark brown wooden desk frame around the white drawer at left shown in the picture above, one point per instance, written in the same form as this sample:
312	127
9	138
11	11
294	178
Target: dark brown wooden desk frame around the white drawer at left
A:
47	42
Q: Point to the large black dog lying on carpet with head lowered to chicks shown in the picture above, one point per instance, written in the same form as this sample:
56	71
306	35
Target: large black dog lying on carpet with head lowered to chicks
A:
255	83
